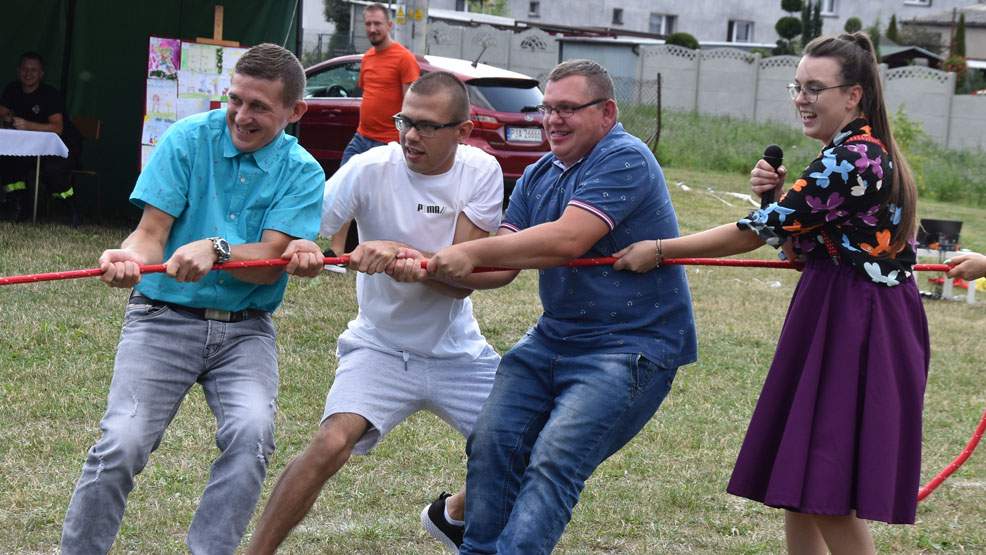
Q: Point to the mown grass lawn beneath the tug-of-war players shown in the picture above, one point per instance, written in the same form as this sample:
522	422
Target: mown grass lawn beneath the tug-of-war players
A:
663	493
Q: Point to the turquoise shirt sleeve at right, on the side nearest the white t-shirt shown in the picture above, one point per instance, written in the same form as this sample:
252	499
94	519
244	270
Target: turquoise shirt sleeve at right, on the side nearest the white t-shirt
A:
298	211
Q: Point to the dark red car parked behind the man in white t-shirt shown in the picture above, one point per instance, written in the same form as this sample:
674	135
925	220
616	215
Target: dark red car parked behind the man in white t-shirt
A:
508	125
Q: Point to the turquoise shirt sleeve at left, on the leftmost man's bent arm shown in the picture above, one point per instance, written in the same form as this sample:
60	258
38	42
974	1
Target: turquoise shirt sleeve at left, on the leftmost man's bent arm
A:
164	181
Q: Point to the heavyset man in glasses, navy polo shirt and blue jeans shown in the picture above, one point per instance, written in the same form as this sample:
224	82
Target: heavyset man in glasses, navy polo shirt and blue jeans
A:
602	356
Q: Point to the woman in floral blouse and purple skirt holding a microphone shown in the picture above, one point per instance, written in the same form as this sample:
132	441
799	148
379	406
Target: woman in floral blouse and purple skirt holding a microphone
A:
836	434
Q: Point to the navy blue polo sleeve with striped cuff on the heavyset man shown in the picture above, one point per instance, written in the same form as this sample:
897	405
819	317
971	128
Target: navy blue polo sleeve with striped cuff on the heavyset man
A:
614	186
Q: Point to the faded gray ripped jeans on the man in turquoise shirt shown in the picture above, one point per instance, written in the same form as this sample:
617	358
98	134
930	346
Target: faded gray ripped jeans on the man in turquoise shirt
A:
162	353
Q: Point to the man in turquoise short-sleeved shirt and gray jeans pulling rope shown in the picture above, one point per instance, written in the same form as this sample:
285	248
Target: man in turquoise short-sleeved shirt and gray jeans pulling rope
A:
221	186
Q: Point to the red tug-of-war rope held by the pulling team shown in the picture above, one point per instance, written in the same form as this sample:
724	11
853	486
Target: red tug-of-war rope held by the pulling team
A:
604	261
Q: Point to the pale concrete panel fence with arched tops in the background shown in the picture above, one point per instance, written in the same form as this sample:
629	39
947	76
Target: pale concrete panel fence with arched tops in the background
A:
722	81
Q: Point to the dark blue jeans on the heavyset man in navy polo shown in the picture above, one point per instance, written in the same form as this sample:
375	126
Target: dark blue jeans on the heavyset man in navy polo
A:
549	422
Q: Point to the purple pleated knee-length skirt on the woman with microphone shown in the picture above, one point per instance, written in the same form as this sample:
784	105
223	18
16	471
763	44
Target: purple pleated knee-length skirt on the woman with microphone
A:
838	423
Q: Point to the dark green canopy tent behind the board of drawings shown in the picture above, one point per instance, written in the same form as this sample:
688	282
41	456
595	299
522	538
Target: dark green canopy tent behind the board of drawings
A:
95	52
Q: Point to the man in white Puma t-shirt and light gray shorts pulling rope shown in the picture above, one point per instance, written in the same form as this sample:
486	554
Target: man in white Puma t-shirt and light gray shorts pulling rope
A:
412	346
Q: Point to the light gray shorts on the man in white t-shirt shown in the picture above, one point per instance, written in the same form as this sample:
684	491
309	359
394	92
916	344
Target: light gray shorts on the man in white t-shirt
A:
387	387
